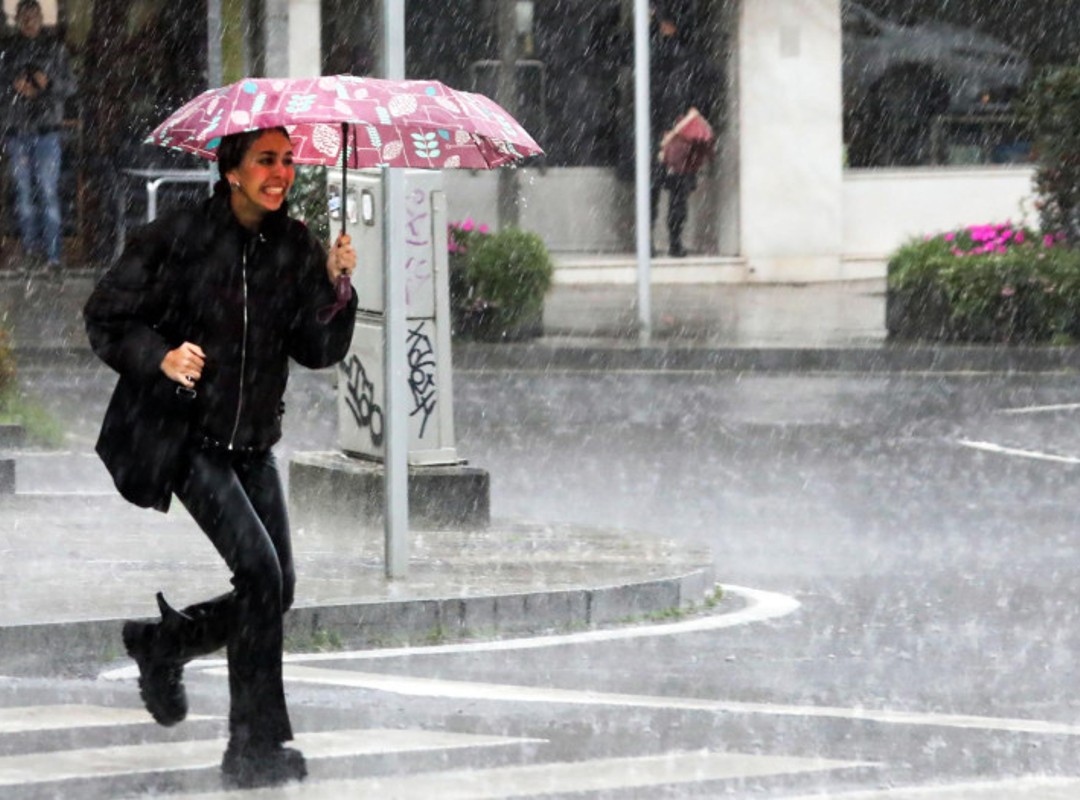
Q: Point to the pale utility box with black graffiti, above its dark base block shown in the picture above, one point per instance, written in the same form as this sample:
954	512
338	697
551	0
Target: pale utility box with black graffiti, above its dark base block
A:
361	416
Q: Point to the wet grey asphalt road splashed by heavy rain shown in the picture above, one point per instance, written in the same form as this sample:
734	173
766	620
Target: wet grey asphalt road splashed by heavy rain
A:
936	577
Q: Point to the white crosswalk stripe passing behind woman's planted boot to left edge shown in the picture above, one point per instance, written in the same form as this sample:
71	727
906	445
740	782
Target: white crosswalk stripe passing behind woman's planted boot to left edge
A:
206	754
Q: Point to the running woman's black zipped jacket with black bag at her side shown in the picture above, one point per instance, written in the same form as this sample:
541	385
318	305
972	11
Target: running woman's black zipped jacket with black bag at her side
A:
248	300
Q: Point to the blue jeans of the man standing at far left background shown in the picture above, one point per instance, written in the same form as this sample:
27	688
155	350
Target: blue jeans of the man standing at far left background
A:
35	165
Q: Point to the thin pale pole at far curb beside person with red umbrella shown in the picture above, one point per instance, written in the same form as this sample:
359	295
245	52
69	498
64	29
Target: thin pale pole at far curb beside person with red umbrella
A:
643	166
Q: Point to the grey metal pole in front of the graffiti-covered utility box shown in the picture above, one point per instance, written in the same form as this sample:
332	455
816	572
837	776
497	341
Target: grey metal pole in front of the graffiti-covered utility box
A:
395	356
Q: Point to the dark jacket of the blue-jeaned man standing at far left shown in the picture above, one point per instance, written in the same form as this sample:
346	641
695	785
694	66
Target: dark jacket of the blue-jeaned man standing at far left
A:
21	57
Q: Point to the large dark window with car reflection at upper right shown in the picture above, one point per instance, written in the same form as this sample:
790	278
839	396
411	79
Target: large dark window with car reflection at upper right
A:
935	83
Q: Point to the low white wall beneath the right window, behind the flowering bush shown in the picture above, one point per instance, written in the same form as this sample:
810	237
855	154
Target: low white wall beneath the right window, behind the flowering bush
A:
883	209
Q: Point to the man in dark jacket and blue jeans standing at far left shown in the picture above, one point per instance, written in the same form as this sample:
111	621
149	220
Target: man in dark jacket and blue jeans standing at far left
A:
36	80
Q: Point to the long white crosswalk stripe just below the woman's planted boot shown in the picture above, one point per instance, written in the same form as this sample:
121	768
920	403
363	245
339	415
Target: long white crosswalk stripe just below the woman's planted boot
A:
607	775
